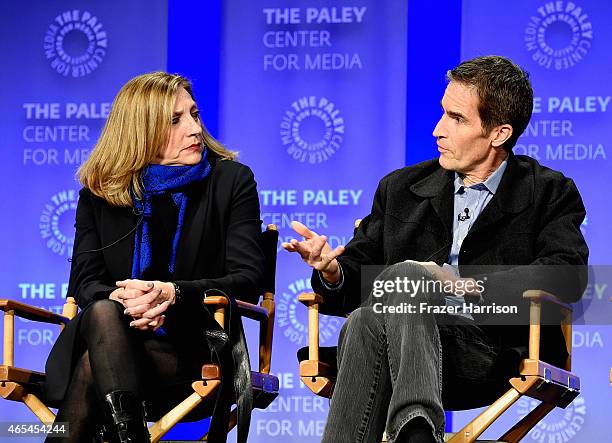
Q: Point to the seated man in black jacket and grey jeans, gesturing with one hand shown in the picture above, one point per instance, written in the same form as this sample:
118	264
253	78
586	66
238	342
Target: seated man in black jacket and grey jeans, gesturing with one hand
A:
477	204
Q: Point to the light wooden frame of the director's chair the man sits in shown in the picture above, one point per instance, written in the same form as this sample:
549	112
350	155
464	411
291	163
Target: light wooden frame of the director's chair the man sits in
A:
551	385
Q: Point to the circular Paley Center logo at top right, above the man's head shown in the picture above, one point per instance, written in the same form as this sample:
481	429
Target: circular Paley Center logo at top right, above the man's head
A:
559	35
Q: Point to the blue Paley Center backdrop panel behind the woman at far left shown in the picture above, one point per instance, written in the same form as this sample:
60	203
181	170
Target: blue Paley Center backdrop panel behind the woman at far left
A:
63	62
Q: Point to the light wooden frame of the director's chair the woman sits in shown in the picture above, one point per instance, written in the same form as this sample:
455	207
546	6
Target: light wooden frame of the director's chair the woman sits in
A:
19	384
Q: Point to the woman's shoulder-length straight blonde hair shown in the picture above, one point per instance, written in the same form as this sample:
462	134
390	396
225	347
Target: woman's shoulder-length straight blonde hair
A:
137	128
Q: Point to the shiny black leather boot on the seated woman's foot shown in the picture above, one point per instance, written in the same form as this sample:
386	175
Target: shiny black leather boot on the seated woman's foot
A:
127	415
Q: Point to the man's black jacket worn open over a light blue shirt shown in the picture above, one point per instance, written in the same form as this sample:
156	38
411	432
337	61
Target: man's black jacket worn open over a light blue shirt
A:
533	219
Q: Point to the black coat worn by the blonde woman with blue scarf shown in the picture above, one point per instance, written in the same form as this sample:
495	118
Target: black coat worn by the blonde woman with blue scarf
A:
219	248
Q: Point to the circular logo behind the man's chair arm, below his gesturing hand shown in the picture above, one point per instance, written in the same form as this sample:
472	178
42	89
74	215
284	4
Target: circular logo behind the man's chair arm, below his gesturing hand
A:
292	316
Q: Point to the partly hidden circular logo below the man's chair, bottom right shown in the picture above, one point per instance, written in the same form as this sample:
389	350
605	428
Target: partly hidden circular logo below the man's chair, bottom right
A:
560	425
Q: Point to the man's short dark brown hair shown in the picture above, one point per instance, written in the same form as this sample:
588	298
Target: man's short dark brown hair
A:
504	92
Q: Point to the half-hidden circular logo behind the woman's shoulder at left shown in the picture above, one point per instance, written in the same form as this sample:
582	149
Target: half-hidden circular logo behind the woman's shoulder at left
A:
57	222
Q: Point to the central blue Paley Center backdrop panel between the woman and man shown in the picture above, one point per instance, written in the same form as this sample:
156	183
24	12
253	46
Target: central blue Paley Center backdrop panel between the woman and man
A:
301	95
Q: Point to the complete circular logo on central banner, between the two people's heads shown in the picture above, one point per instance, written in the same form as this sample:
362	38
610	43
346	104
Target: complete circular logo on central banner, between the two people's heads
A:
312	130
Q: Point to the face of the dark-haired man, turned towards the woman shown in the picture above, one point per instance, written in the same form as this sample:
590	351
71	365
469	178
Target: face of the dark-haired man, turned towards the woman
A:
463	147
